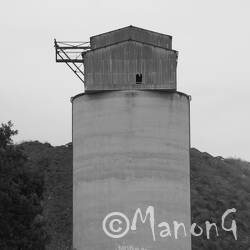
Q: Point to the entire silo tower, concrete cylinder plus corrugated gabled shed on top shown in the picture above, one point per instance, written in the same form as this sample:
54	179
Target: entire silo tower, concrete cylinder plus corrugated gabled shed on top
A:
131	142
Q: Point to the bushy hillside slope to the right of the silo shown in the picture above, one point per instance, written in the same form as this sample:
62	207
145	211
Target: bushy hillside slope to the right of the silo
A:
219	184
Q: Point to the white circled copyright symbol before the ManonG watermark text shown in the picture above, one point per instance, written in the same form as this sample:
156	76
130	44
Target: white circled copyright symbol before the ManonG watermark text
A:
115	225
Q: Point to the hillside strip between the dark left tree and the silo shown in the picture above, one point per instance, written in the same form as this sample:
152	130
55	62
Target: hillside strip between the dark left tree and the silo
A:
56	163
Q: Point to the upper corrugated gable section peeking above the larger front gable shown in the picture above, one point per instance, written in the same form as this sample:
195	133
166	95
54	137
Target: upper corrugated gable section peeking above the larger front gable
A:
131	33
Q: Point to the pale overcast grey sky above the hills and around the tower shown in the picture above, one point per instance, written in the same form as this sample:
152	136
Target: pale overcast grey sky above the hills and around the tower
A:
212	37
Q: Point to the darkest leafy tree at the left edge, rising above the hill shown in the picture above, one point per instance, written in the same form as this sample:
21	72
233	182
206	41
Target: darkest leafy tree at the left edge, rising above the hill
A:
21	190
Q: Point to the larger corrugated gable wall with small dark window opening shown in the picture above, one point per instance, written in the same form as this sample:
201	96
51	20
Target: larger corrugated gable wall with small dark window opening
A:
115	67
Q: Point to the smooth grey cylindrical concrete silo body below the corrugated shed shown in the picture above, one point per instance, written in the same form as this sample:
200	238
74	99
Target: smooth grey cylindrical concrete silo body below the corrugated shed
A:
130	150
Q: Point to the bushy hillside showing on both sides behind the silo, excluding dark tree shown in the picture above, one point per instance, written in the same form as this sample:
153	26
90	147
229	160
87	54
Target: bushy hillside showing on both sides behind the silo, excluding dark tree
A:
217	184
